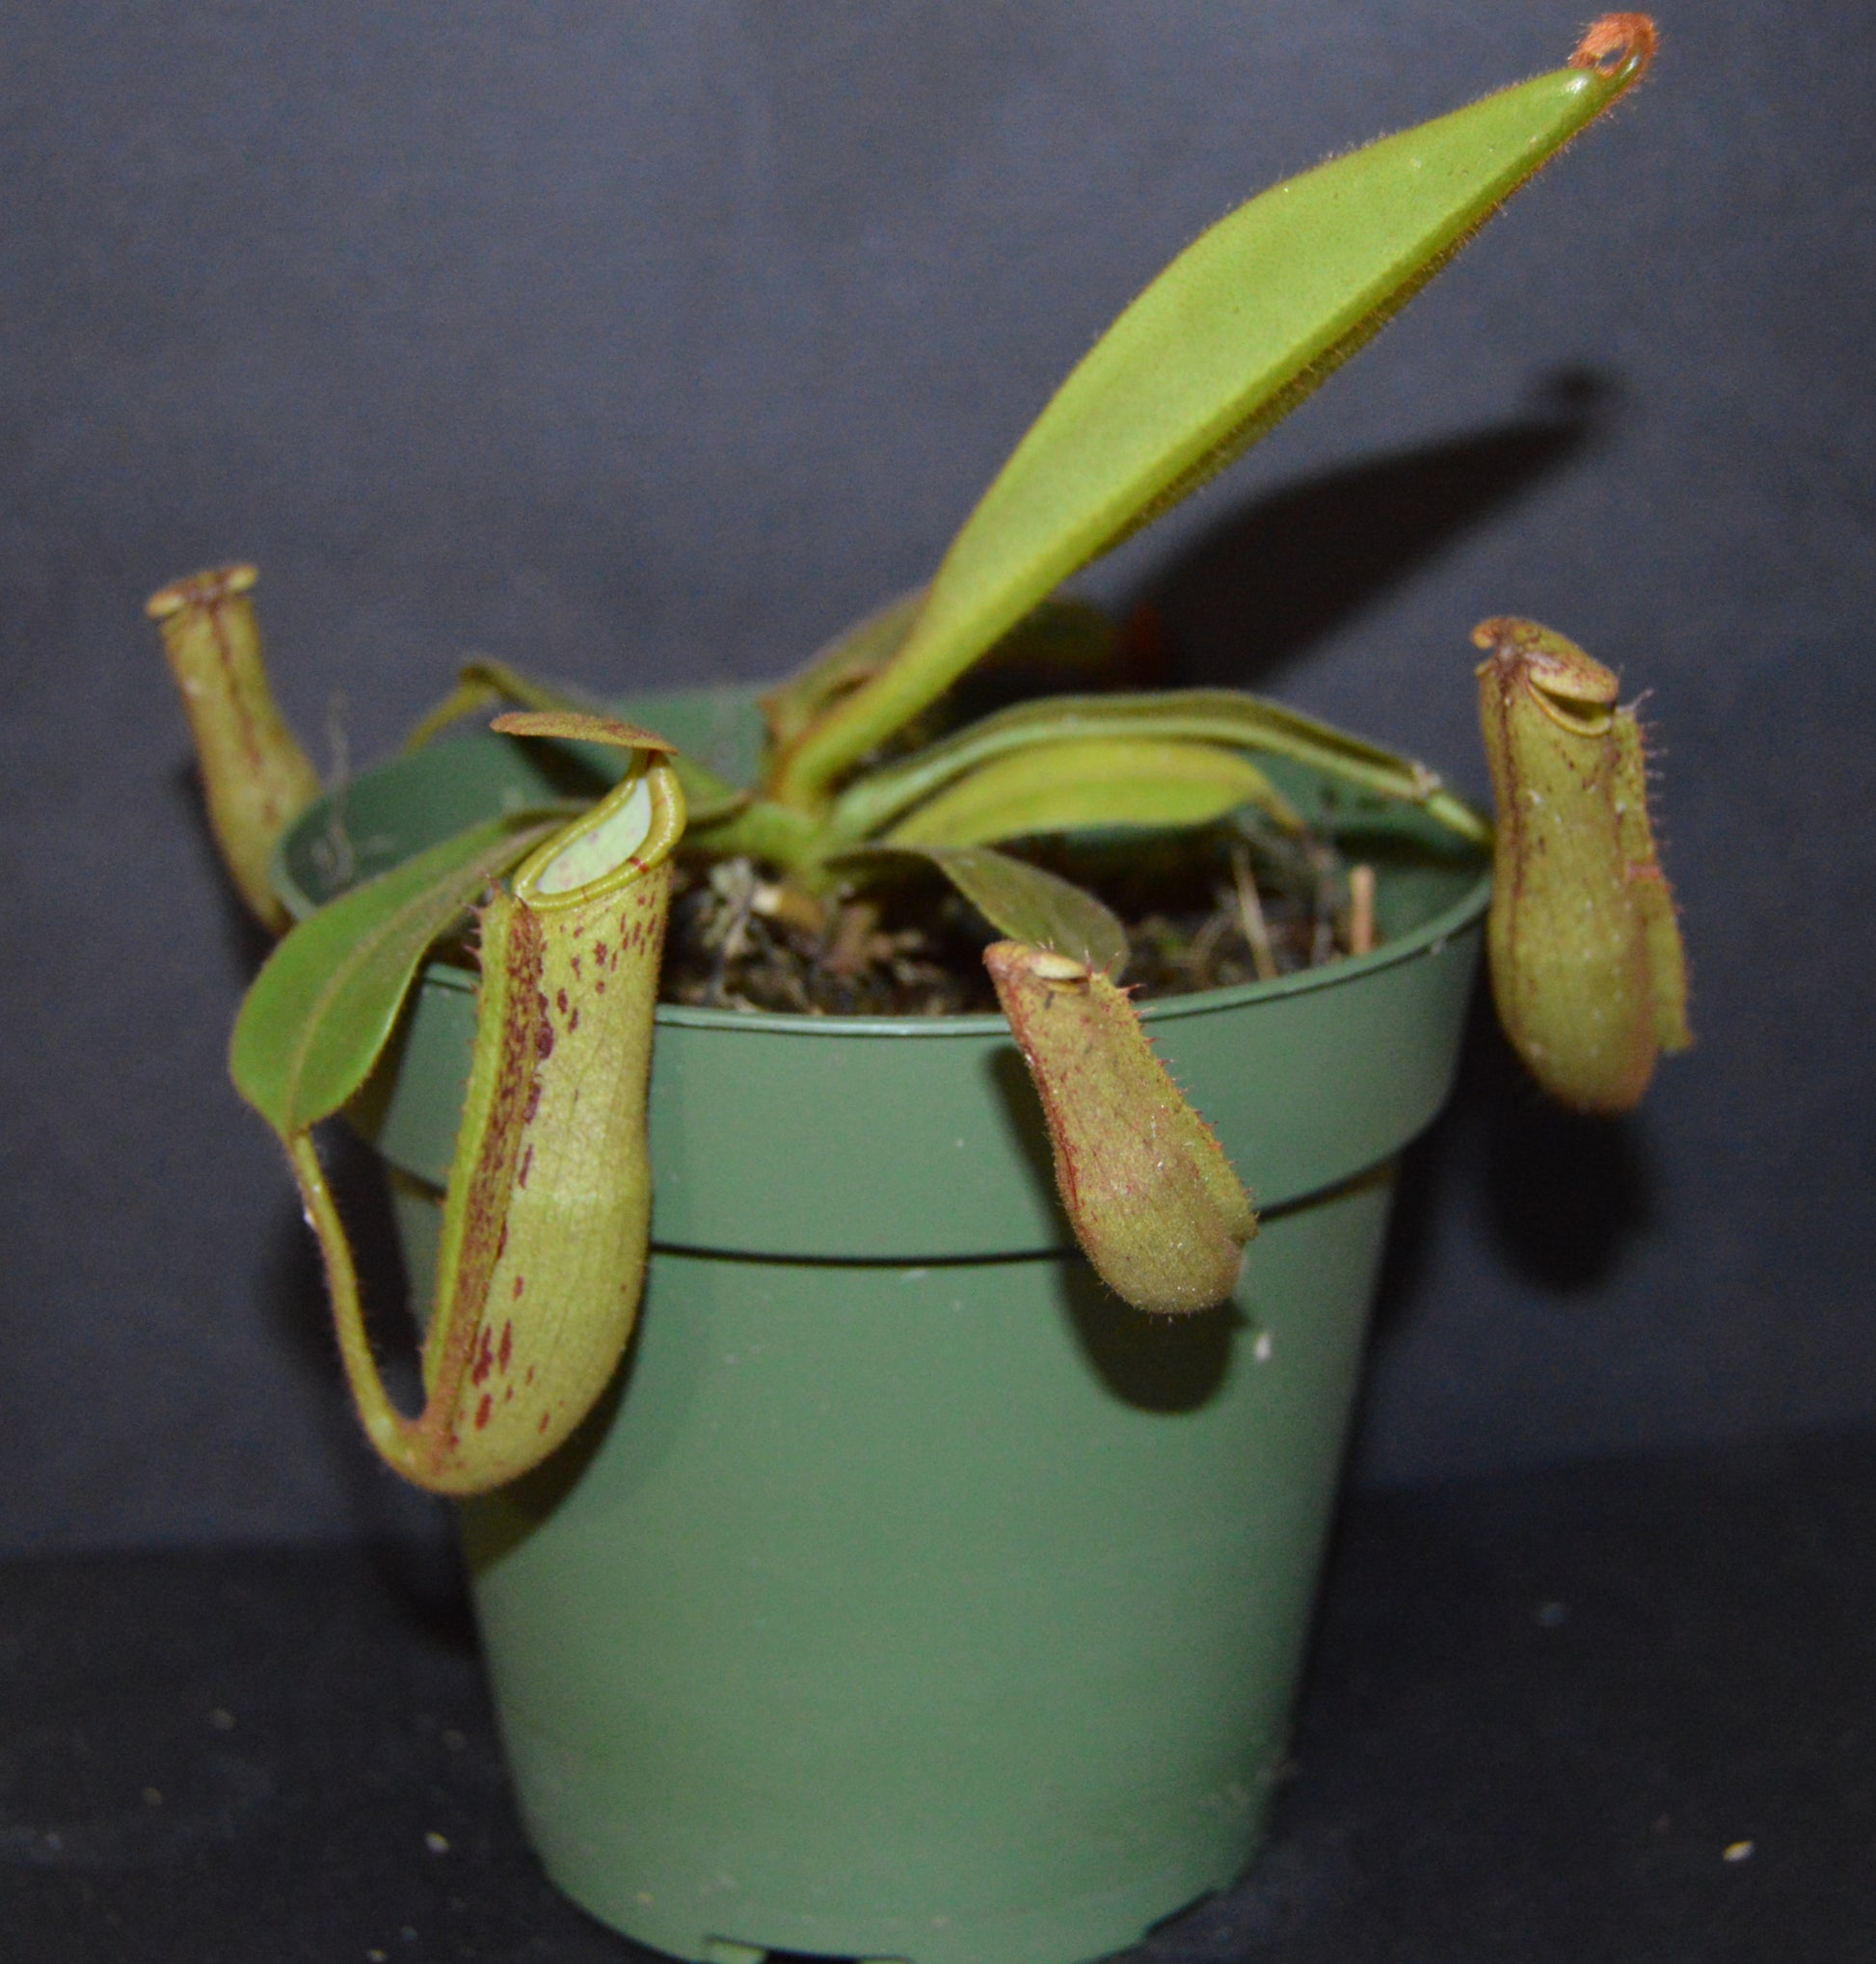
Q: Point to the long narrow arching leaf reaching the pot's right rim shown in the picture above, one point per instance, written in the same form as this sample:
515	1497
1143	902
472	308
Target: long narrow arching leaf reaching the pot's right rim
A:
1203	716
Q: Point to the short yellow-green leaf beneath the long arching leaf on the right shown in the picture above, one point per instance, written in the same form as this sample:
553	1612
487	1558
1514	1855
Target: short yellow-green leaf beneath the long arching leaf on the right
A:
1089	785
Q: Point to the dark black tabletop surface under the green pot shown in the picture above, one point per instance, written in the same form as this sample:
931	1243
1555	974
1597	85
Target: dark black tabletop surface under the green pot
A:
1608	1714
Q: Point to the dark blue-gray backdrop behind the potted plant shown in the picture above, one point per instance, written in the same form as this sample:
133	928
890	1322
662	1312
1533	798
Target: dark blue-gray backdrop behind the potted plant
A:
649	345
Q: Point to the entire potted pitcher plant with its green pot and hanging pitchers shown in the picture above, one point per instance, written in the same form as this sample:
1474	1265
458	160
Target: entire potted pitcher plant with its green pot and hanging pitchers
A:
924	1586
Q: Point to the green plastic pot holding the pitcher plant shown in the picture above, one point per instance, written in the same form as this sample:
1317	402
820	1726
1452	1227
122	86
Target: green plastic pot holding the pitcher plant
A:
910	1596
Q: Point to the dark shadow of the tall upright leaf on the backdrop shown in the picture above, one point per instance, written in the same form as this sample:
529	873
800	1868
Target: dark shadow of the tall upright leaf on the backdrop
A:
1288	571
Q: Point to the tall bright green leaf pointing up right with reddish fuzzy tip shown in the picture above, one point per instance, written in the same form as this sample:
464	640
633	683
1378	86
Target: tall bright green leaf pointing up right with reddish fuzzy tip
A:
1233	337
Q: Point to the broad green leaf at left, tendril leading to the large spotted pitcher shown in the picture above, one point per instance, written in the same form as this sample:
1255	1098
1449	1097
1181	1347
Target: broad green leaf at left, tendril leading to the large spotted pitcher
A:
329	997
